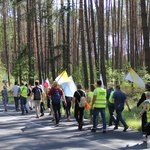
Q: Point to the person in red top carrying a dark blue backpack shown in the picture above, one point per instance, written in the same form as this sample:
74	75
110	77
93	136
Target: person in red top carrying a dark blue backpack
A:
56	94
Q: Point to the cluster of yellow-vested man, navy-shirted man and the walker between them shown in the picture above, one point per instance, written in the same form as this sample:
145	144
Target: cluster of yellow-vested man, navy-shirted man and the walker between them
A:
115	100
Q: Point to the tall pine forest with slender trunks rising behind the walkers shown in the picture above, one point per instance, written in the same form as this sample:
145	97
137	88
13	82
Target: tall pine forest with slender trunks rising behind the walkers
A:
41	38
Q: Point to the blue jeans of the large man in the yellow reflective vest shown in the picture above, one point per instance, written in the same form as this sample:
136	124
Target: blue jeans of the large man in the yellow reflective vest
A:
95	115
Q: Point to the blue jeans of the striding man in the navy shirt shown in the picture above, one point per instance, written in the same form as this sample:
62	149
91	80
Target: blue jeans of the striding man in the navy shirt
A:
120	118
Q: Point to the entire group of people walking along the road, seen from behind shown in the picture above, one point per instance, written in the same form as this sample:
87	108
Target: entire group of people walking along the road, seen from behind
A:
97	97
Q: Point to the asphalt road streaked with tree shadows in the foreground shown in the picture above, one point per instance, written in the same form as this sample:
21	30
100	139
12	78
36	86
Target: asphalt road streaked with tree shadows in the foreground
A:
19	132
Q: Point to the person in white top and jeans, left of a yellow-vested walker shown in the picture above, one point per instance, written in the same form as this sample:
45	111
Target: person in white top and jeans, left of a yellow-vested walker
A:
14	90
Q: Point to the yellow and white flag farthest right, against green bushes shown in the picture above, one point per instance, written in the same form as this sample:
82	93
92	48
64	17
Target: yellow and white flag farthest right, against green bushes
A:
133	77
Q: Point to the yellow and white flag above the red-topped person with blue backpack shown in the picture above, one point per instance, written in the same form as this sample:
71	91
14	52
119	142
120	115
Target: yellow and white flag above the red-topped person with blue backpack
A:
63	77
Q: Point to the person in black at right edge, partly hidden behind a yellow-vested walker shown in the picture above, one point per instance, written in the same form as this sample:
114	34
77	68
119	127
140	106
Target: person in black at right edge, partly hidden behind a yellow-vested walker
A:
140	101
